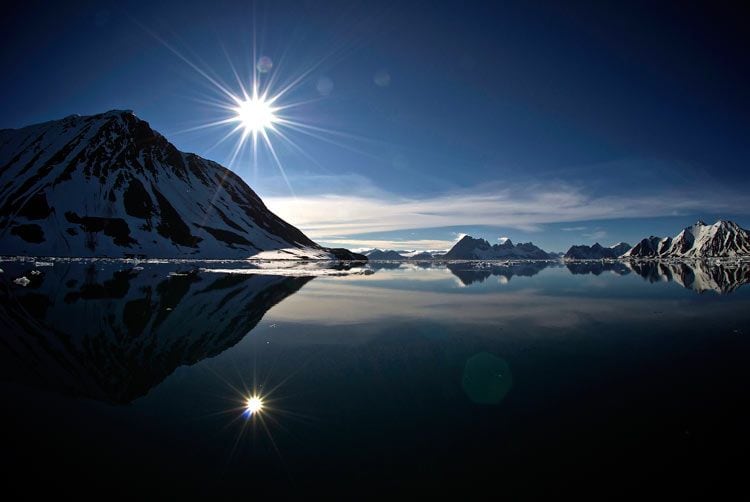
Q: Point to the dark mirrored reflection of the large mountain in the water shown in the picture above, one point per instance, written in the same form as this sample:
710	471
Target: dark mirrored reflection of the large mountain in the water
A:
111	333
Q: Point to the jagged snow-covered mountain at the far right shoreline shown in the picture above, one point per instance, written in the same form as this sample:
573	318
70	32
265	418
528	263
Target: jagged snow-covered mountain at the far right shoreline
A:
722	239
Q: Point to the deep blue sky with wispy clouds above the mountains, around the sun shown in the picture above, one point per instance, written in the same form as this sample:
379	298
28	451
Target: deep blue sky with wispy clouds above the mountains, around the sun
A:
560	123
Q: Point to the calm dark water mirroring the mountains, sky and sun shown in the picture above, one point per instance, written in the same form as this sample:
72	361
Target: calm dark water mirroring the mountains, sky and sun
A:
527	378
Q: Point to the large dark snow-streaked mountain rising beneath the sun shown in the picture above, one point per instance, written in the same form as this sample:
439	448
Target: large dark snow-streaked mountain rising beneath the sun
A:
109	185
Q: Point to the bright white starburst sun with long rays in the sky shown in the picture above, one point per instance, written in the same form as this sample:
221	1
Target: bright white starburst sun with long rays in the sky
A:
259	110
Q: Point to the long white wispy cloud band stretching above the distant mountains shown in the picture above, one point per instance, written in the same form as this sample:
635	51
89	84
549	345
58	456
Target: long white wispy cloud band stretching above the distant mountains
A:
331	217
